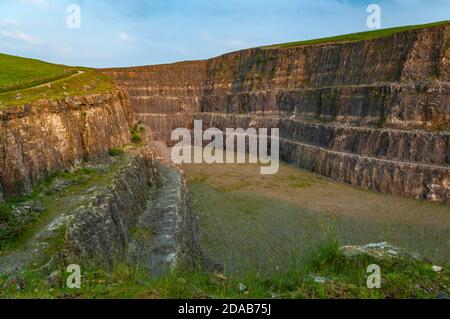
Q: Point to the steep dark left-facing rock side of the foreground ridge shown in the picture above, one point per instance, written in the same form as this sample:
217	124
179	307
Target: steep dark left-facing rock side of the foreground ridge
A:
101	230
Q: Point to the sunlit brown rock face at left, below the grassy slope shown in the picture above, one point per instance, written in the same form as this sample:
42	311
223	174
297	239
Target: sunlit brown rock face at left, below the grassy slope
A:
48	136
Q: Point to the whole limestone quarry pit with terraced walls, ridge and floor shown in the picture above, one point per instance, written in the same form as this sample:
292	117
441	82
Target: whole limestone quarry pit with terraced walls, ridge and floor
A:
364	141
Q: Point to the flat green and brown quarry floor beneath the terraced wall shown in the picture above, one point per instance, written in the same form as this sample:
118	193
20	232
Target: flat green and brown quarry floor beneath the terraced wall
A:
268	223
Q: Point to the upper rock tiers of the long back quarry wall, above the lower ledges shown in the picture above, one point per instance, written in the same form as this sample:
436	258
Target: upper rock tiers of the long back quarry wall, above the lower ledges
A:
401	81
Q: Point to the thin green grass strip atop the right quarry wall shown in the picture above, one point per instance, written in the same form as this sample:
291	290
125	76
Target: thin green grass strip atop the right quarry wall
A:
360	36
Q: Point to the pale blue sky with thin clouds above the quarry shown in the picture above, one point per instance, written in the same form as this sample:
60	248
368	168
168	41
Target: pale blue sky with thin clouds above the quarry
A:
110	33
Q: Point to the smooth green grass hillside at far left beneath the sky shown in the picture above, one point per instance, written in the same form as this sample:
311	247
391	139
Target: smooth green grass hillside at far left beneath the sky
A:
20	73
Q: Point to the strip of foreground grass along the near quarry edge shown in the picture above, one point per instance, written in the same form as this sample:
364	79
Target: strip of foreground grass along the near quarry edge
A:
347	278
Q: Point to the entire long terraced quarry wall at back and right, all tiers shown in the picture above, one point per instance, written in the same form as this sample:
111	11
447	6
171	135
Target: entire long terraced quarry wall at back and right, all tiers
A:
372	113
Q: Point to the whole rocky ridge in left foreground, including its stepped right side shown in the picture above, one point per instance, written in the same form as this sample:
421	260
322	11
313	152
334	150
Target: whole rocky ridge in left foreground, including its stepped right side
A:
143	217
